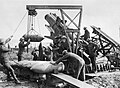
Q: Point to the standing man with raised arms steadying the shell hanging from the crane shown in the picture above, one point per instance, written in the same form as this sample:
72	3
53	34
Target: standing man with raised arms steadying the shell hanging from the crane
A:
22	46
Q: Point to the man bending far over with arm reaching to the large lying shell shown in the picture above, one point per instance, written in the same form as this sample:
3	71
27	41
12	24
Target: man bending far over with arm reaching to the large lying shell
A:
75	63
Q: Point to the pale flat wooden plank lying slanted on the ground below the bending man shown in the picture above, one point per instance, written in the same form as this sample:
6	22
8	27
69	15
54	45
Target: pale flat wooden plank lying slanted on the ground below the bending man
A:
73	81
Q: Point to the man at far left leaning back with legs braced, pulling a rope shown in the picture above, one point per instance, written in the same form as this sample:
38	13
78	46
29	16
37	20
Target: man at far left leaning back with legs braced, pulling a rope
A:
4	60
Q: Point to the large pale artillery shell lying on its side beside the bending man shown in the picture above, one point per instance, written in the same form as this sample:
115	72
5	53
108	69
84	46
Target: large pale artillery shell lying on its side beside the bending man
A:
47	67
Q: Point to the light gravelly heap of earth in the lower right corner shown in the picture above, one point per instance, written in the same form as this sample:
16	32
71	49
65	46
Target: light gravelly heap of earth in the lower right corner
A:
107	80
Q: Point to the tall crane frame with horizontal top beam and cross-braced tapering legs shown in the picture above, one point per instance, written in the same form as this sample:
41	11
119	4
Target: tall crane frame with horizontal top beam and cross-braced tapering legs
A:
63	13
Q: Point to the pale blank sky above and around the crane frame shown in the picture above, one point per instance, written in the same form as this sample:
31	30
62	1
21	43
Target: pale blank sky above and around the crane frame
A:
101	13
